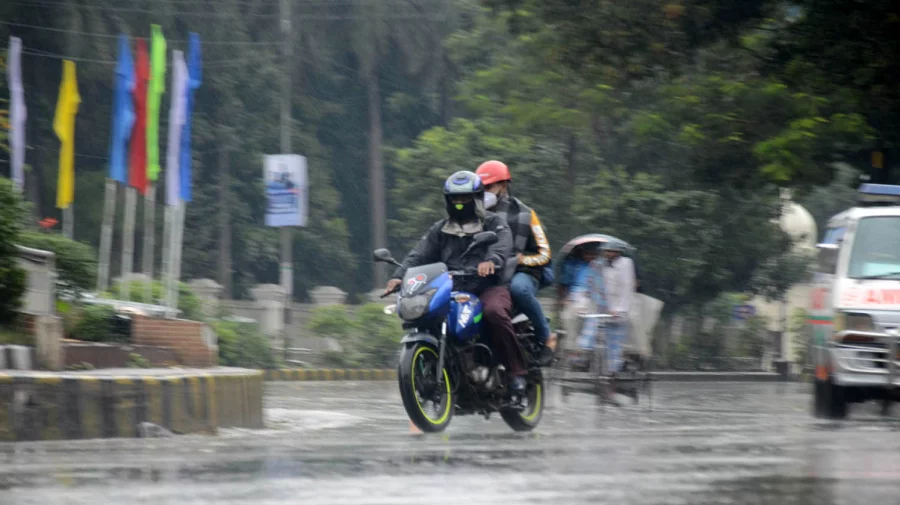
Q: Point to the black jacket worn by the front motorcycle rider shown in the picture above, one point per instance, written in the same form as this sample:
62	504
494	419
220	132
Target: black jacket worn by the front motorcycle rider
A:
436	246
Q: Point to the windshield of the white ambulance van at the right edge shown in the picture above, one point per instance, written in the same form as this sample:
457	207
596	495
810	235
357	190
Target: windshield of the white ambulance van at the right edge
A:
876	248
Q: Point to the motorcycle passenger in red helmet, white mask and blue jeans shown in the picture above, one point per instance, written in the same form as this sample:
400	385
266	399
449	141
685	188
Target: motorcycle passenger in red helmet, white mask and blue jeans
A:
531	247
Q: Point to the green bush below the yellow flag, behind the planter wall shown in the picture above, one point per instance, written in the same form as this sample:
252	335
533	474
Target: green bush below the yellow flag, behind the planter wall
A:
76	262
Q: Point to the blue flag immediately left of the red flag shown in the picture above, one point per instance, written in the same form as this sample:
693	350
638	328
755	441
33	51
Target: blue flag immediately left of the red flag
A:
123	112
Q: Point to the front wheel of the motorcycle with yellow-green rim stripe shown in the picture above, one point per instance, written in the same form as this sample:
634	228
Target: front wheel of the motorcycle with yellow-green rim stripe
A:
428	403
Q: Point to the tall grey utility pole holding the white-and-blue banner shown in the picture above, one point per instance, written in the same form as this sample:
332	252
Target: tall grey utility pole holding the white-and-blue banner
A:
286	232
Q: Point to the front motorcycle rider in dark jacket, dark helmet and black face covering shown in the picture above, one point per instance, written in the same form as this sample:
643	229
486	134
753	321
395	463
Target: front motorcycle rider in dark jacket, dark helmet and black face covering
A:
447	240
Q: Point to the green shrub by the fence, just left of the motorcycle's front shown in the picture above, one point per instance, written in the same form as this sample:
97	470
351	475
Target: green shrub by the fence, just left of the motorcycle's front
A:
369	337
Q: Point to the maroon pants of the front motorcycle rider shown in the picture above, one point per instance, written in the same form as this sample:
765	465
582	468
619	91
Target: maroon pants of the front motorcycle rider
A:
498	318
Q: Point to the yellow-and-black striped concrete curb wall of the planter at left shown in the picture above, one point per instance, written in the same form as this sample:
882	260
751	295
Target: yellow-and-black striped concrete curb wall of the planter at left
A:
43	406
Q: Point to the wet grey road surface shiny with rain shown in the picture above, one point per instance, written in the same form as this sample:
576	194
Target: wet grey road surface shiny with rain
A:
350	443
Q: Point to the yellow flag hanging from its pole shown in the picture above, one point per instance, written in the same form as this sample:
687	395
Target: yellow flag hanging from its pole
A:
64	127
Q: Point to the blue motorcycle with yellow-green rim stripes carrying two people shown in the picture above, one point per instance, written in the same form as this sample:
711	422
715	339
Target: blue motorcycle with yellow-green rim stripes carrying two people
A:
446	368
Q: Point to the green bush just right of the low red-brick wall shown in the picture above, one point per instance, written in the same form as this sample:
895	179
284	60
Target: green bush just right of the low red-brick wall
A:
243	345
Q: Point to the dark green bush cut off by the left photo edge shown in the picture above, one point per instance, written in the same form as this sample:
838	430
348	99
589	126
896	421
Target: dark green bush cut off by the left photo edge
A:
12	278
